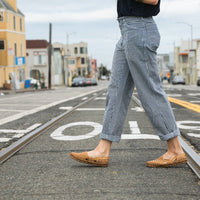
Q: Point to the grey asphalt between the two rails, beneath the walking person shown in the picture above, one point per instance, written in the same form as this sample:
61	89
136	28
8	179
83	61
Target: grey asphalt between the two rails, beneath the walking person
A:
44	170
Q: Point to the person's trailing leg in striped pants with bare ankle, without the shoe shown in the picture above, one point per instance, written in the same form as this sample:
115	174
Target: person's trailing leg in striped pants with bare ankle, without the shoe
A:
141	45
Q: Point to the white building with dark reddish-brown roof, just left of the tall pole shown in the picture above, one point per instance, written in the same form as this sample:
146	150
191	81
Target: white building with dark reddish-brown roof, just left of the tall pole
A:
37	60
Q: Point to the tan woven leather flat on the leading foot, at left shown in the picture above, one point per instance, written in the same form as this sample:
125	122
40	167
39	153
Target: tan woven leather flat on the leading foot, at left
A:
84	158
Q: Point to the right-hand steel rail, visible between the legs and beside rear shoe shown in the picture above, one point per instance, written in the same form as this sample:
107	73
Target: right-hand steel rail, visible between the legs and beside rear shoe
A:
192	156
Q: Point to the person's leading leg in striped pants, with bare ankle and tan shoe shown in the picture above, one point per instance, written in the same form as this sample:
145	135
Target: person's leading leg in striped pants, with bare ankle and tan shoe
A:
119	94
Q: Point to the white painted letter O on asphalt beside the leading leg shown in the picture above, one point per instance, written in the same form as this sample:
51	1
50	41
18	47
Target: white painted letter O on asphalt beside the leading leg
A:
58	133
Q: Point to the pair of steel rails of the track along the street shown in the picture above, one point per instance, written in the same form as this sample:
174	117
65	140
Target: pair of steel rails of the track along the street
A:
5	154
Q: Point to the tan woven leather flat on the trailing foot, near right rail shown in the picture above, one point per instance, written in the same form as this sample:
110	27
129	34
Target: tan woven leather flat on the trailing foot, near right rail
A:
161	162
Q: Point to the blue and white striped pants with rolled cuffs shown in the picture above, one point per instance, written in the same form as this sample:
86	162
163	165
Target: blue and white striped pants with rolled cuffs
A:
135	65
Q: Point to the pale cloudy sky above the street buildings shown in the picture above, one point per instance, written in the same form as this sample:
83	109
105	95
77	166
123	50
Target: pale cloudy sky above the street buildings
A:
94	22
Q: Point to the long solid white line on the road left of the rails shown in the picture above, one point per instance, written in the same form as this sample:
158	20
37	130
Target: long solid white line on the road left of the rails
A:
29	112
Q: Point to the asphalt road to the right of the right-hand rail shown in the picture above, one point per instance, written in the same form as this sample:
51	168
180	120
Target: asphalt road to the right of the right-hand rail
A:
188	120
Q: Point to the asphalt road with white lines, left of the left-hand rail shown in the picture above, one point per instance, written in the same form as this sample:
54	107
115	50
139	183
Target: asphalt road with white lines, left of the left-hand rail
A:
21	113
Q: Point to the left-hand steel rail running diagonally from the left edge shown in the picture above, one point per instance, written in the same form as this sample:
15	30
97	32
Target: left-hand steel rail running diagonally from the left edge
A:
8	152
